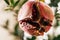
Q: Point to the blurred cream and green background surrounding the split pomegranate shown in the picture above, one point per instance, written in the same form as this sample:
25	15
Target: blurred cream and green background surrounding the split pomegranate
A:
9	27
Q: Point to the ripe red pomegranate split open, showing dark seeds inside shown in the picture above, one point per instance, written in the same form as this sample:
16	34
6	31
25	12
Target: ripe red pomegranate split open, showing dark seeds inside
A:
35	18
